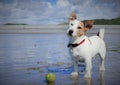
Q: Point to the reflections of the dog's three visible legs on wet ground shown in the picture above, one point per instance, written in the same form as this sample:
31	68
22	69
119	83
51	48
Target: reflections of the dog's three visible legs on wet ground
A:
89	81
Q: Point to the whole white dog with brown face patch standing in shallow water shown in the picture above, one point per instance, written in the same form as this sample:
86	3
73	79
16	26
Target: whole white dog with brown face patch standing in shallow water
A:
84	48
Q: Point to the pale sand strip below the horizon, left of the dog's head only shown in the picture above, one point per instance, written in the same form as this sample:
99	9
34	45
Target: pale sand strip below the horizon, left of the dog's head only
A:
32	29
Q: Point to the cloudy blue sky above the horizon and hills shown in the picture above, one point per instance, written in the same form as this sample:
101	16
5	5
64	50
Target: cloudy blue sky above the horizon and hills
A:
56	11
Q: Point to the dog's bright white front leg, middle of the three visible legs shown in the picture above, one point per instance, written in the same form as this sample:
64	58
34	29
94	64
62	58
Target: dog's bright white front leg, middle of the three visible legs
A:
88	67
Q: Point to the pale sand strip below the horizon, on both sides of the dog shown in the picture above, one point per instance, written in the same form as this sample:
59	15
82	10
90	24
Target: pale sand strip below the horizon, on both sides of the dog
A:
51	28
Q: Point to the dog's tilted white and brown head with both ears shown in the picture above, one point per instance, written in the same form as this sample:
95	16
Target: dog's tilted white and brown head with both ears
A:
78	28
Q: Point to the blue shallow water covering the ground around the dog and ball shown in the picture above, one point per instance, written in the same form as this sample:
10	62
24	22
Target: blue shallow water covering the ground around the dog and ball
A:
25	59
